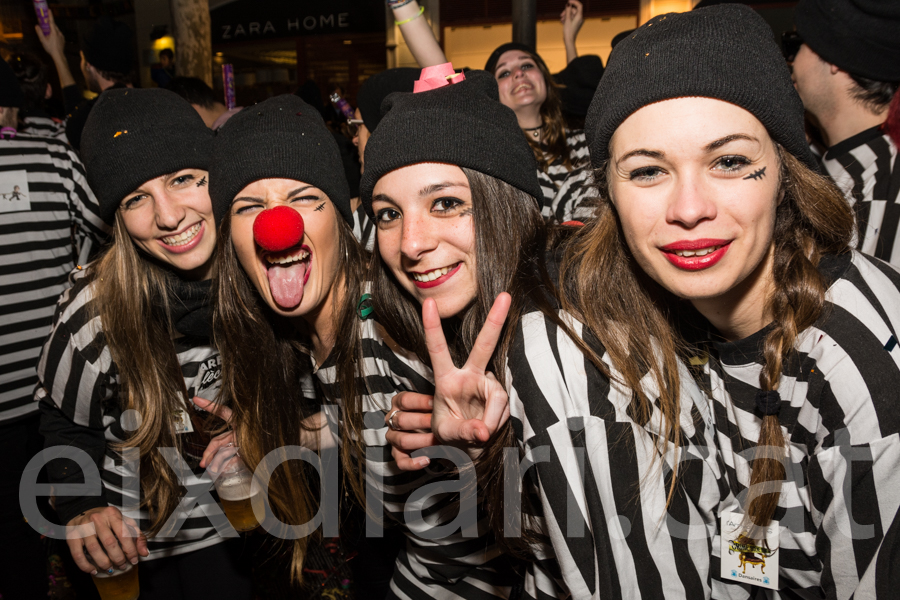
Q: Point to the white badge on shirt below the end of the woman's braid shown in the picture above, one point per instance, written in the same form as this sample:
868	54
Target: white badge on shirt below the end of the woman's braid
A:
756	562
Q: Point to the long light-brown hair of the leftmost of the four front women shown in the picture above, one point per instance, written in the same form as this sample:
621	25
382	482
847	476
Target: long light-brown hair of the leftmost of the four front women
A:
132	301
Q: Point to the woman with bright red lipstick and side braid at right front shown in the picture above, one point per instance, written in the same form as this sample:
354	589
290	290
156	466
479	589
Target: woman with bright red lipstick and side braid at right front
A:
711	196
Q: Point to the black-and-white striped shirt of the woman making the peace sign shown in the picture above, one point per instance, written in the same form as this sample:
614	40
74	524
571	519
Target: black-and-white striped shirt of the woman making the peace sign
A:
604	481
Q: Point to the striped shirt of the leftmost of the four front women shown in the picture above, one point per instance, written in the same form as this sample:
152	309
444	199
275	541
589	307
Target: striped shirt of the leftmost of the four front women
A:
79	393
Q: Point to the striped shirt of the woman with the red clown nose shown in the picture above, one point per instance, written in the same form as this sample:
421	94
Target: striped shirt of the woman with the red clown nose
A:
453	567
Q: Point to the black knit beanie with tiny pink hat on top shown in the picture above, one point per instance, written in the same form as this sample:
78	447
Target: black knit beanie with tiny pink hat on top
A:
461	124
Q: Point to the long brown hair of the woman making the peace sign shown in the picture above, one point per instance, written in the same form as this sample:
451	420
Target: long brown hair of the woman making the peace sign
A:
510	243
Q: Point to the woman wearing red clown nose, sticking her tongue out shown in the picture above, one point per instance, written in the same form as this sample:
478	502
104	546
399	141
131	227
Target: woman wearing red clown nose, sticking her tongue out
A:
292	304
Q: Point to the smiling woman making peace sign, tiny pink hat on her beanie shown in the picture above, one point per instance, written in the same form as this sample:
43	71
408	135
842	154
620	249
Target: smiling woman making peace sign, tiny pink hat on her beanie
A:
611	427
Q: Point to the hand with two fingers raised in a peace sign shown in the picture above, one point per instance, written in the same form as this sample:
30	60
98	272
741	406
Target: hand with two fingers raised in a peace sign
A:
470	405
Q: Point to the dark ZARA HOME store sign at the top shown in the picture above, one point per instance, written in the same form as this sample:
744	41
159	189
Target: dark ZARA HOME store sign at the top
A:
253	20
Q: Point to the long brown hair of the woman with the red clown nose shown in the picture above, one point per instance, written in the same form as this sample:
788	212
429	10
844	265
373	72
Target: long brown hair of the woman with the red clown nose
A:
264	359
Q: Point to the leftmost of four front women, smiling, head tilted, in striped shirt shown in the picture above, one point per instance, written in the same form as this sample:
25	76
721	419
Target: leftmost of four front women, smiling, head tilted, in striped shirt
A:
130	345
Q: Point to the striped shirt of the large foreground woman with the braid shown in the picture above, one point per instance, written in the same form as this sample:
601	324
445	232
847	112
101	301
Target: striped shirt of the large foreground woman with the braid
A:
840	416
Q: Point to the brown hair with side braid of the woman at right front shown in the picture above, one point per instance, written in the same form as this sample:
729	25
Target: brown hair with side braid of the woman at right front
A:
812	219
